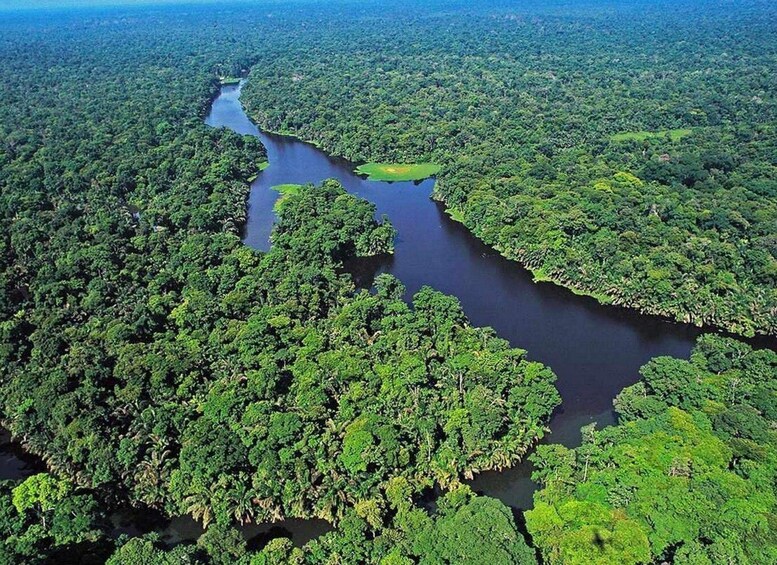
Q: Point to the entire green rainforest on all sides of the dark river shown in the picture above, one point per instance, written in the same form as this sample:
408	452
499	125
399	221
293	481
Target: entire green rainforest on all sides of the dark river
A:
153	361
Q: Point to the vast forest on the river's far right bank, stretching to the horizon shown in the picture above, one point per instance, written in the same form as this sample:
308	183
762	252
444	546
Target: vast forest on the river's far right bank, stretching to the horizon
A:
625	150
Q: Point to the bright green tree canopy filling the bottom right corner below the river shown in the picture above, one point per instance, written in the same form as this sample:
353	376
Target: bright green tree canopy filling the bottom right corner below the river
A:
687	475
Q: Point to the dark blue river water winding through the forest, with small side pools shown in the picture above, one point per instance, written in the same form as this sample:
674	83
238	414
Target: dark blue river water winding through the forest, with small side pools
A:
595	350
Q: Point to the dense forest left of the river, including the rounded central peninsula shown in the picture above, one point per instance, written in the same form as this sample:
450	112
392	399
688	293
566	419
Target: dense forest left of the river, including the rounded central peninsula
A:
147	353
